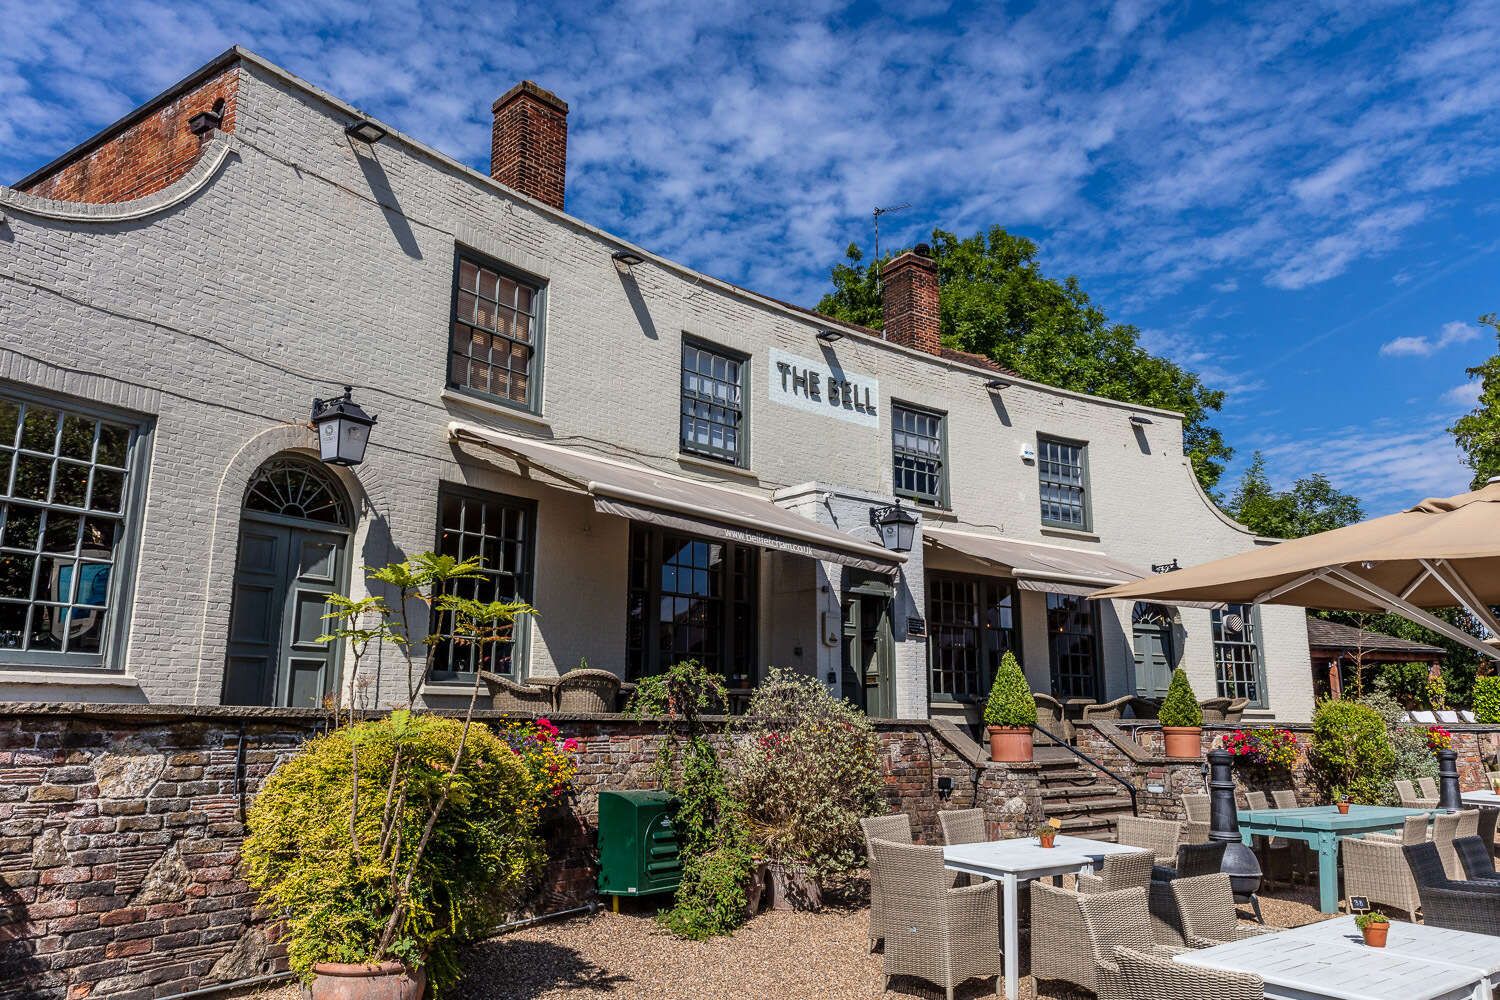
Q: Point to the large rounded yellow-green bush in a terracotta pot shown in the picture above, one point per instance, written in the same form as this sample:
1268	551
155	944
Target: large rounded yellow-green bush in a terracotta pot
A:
337	894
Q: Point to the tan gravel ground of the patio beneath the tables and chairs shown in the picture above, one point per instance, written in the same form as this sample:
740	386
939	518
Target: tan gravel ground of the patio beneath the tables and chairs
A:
776	956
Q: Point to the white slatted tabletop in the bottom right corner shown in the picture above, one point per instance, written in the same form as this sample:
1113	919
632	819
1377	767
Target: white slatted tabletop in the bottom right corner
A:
1306	966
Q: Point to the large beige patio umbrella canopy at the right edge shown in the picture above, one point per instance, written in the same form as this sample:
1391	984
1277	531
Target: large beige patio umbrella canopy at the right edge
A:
1439	554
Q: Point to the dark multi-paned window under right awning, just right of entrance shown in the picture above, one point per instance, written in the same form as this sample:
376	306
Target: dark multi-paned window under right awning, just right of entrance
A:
971	624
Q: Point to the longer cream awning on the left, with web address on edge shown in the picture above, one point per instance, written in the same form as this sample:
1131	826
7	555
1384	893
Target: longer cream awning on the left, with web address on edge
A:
683	504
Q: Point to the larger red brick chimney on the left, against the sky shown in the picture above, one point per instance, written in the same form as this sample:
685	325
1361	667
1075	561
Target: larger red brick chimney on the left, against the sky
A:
529	149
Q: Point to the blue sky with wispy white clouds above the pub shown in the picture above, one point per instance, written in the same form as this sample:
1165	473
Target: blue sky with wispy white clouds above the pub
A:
1297	200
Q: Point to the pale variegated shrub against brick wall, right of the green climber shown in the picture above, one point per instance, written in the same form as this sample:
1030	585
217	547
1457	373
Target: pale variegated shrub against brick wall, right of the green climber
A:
806	768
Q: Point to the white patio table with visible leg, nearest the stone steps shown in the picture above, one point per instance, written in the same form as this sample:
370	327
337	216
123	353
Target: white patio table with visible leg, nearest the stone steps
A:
1022	860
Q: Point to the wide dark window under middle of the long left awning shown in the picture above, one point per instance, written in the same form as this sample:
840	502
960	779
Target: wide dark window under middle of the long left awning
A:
692	599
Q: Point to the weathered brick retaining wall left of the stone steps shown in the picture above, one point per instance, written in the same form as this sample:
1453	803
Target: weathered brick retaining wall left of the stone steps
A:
121	834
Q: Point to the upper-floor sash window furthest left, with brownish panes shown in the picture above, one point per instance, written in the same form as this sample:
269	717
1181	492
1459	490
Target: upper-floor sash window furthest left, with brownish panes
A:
496	343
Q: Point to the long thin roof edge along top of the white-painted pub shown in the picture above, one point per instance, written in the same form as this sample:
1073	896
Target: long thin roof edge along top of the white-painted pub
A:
238	53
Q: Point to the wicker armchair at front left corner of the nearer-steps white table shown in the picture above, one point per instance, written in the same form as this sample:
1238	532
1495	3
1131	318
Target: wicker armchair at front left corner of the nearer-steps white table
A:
938	933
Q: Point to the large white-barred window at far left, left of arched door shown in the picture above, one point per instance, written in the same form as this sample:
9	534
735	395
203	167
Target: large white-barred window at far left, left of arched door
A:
70	497
